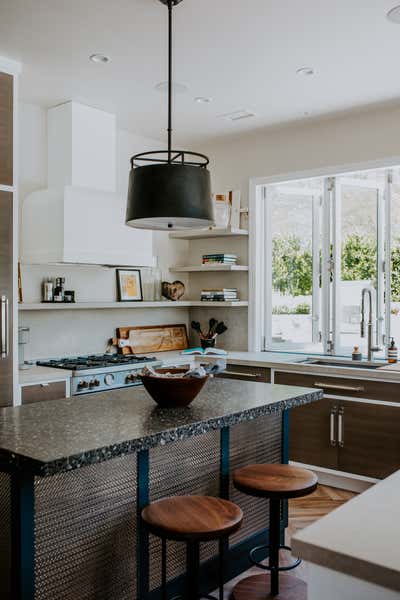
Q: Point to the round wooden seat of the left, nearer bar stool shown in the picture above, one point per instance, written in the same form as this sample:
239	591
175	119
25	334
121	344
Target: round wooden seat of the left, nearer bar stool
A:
192	518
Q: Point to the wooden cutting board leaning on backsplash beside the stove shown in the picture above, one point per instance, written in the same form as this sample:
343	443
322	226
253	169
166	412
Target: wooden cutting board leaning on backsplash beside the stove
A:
152	338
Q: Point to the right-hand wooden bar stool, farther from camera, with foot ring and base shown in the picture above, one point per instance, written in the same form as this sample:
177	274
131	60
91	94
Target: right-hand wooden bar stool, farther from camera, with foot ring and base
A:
276	483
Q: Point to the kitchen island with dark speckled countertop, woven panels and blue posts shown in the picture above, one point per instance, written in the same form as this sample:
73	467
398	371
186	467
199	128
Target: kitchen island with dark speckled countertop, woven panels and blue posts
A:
78	471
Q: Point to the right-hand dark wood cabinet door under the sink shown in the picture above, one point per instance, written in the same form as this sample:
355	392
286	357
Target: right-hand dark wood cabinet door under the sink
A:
371	439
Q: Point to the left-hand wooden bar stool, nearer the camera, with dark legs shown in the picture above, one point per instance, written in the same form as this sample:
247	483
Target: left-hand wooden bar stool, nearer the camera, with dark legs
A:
192	519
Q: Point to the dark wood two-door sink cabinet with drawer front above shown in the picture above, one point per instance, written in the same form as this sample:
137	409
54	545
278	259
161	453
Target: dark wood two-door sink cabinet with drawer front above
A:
346	435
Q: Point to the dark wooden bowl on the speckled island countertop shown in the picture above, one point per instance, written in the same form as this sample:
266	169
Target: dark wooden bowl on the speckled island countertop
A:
174	392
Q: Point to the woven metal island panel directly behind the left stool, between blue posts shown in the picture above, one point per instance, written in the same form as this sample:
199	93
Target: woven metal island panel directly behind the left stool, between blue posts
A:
184	467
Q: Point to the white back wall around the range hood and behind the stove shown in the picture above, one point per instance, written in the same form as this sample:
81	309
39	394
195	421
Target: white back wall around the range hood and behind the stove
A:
79	332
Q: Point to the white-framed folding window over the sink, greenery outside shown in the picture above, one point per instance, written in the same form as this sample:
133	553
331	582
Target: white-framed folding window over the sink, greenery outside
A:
325	240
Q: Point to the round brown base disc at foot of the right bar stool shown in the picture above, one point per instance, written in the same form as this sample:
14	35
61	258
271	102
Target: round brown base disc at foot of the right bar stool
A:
256	587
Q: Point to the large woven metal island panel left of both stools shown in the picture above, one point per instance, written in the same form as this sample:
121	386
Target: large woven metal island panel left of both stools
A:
85	530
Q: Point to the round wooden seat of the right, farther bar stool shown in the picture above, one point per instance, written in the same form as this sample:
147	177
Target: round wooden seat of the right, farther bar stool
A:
275	481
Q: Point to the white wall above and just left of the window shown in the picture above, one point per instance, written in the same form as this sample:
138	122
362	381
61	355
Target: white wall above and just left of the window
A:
353	138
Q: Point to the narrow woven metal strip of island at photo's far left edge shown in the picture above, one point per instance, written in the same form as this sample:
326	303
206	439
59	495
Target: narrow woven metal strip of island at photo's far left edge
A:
5	536
